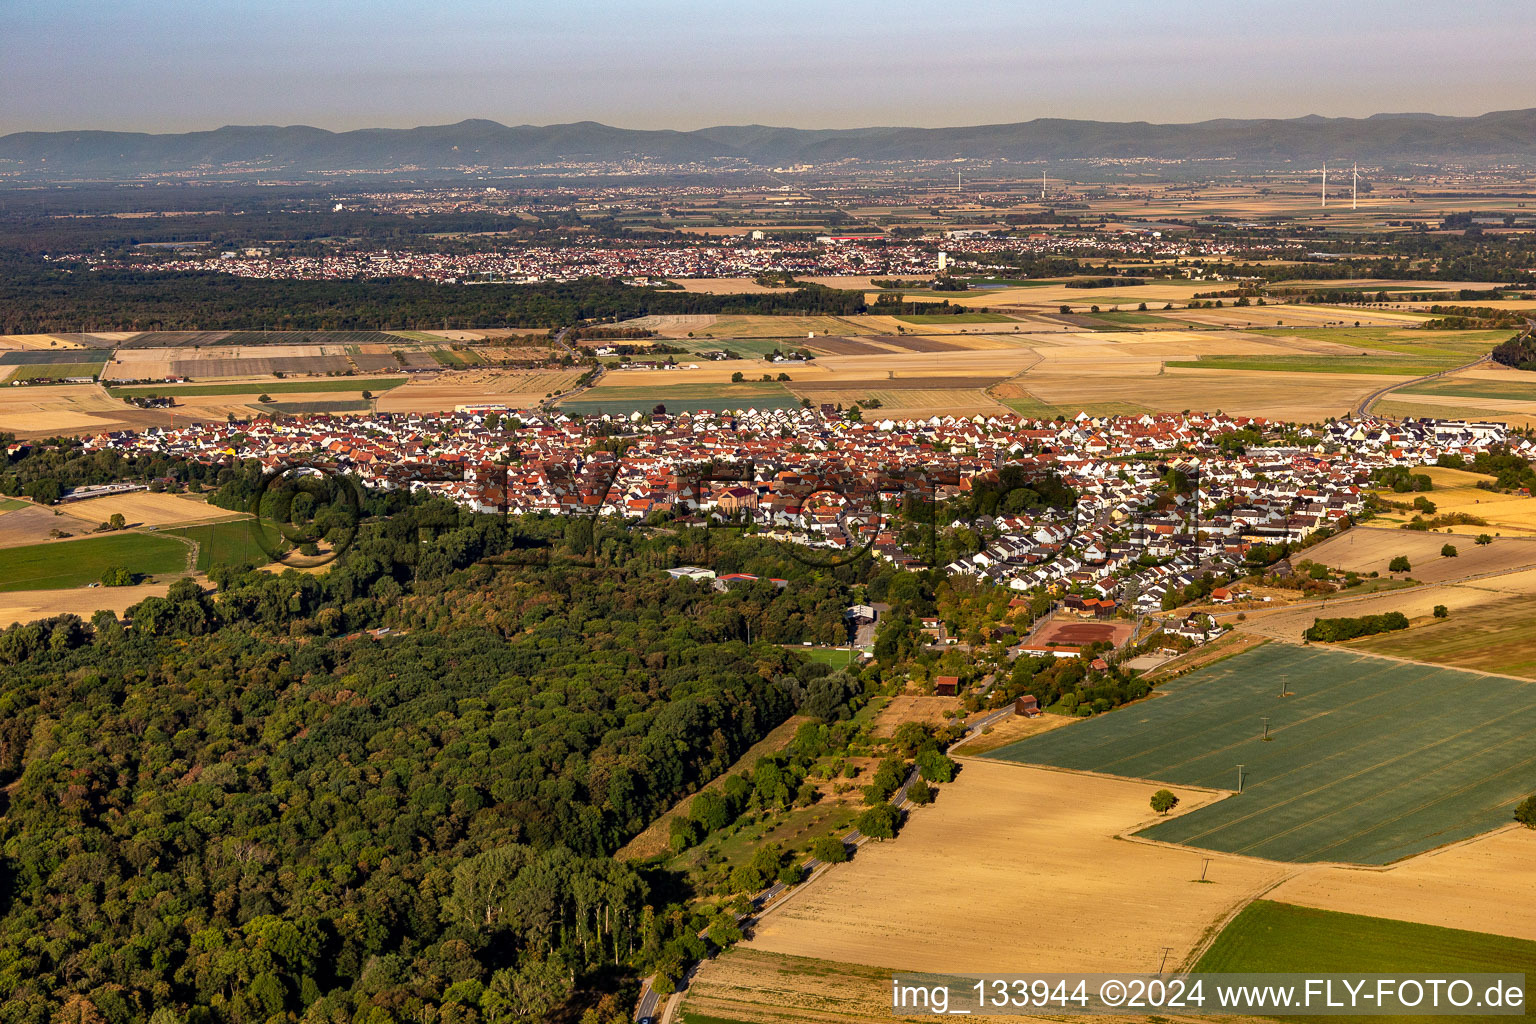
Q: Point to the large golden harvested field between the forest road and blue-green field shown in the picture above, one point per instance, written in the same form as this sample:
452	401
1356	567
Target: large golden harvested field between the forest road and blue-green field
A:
1018	837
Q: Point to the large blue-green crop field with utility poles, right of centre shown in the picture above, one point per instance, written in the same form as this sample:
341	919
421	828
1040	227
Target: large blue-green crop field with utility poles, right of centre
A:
1369	761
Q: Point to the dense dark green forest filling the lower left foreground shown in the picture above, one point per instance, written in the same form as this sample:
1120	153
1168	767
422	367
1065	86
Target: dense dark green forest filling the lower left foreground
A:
243	807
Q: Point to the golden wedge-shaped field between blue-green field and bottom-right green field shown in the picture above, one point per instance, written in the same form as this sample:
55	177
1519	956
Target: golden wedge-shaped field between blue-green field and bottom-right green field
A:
1485	885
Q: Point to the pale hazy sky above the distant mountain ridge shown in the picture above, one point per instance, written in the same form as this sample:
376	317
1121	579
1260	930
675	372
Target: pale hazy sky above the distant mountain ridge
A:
179	65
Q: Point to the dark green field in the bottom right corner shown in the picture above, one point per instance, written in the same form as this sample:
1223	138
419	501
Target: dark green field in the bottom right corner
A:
1283	939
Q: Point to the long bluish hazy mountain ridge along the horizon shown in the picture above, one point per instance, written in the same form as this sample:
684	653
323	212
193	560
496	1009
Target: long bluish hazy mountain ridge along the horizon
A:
1377	139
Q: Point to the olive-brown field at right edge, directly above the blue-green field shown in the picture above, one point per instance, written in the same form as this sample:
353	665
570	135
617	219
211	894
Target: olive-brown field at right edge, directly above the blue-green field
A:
1498	636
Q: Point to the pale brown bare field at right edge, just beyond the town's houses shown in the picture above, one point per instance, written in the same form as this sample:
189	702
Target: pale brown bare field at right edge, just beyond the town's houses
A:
1371	550
